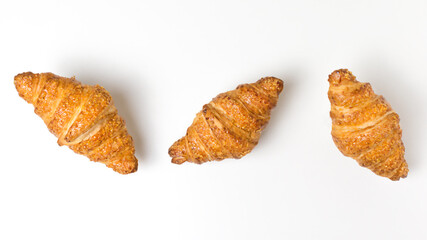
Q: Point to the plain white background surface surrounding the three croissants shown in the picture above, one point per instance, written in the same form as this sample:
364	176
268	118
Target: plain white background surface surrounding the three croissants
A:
161	61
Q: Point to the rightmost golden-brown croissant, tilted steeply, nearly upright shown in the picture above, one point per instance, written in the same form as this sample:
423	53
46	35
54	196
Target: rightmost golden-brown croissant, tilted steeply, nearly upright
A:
365	127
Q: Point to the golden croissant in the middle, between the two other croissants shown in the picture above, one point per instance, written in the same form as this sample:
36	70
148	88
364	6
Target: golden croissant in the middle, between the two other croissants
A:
230	125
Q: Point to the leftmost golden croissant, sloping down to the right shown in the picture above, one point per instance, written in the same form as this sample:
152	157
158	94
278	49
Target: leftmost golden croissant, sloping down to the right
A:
82	117
